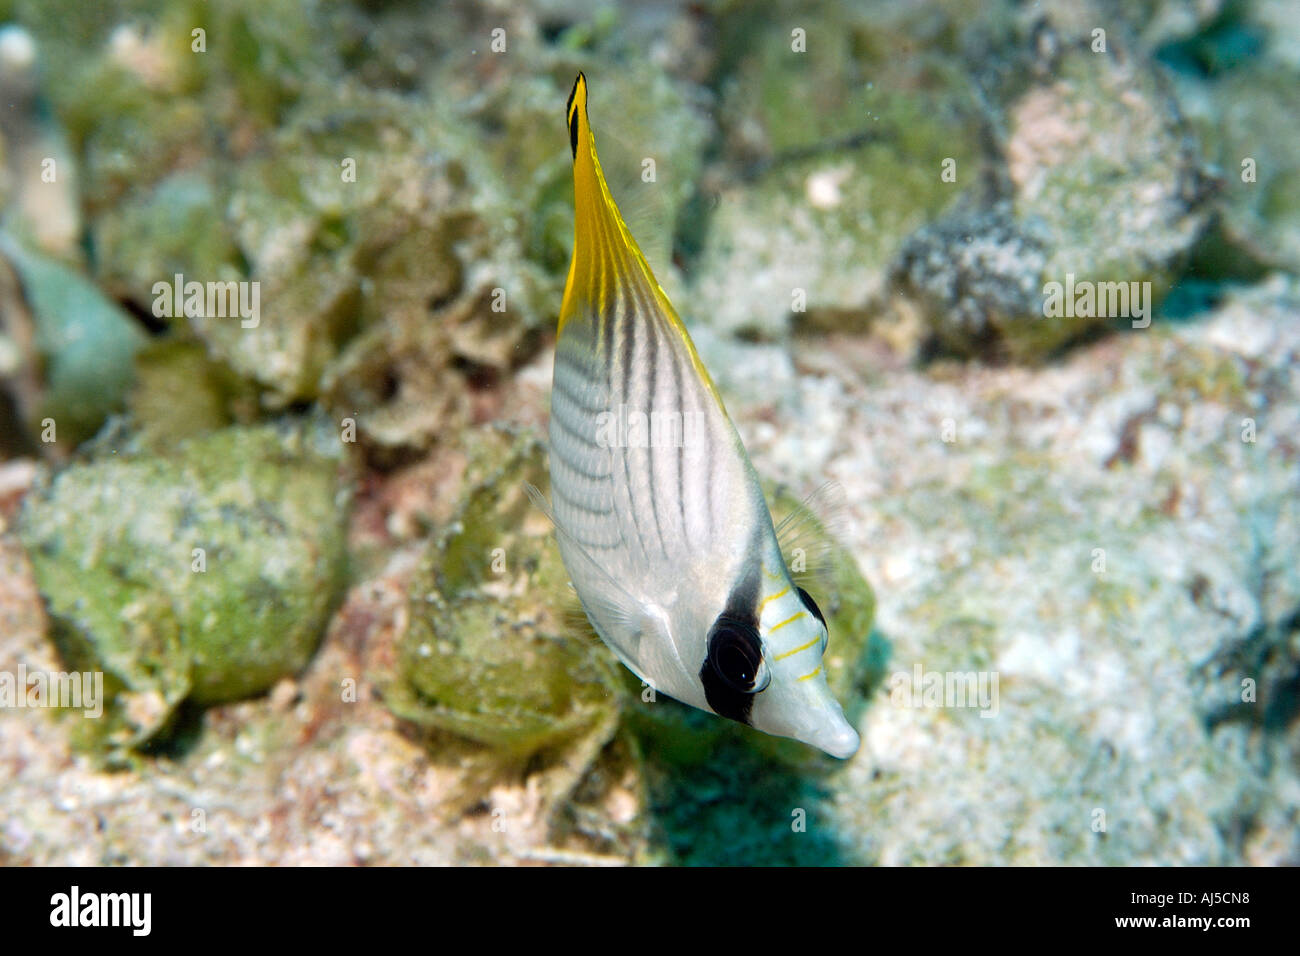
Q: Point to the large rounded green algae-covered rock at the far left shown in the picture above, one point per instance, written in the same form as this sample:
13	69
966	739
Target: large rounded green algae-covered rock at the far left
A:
203	576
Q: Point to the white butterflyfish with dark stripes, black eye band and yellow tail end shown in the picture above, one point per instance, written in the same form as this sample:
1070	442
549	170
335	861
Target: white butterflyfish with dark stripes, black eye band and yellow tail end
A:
660	517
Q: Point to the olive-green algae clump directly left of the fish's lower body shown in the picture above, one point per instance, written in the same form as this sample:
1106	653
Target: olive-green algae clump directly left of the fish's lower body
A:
491	651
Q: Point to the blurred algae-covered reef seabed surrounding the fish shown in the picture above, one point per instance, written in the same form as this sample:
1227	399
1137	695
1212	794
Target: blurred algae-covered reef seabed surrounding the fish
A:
1021	279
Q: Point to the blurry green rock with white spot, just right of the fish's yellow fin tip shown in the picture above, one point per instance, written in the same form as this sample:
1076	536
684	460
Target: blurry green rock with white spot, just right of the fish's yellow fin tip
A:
838	155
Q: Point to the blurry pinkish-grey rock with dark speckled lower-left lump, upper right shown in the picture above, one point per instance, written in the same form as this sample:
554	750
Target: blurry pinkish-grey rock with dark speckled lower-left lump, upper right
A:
1103	185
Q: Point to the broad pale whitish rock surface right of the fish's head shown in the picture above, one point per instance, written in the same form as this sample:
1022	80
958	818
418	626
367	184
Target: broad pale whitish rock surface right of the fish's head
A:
1112	539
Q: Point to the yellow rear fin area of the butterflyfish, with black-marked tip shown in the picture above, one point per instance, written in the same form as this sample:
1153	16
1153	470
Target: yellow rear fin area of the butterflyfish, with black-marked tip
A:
604	249
